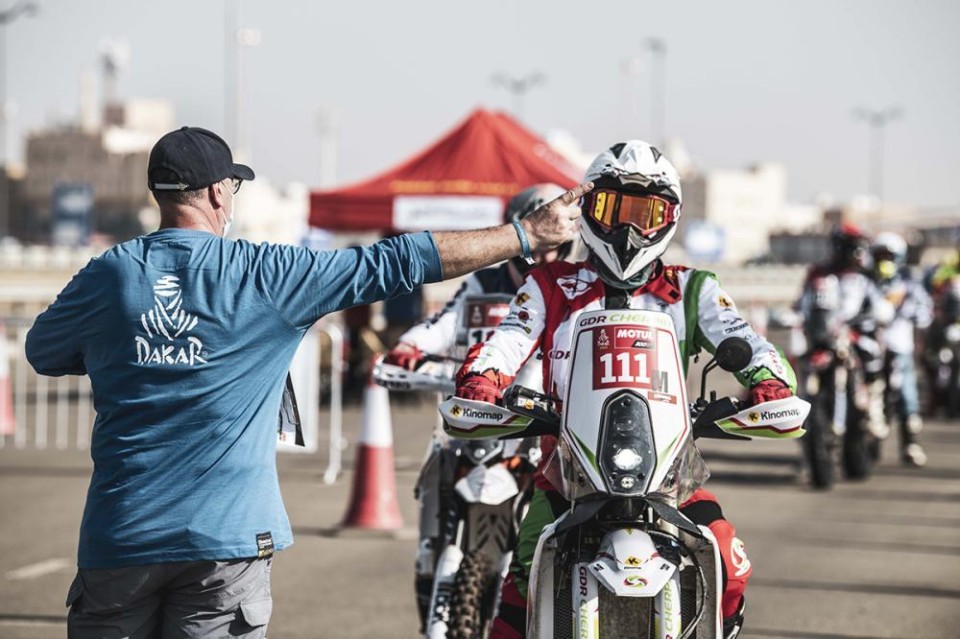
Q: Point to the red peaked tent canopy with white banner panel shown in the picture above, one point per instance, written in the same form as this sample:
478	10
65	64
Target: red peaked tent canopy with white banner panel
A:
461	181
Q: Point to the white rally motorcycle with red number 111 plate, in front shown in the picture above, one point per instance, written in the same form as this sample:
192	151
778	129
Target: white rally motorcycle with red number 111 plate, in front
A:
623	561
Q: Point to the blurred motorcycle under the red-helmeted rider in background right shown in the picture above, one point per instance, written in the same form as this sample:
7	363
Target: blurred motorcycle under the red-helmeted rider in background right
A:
832	379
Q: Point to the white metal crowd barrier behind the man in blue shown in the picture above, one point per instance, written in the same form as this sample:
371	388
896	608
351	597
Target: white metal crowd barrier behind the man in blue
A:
61	408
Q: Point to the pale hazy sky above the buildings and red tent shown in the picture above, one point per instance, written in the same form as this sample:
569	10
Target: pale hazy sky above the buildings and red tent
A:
746	80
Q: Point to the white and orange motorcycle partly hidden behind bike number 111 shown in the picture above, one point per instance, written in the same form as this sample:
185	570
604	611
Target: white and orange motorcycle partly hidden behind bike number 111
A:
485	486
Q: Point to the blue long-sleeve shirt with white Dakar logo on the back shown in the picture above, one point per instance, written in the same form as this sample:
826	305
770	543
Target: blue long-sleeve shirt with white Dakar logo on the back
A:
187	338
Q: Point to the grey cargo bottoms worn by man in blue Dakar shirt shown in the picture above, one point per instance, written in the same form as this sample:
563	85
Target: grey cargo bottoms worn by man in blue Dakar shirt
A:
183	600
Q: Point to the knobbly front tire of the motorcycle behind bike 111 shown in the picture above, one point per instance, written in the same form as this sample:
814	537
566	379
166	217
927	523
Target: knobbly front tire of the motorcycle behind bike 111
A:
471	603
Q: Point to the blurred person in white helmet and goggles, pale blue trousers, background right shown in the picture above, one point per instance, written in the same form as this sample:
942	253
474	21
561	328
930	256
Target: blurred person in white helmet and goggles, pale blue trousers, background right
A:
914	309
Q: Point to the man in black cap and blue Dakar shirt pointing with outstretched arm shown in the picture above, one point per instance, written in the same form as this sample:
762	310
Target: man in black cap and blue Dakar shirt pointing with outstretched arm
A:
187	338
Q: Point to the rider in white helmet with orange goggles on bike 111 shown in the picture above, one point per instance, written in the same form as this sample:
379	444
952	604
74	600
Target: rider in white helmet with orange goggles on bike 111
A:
628	221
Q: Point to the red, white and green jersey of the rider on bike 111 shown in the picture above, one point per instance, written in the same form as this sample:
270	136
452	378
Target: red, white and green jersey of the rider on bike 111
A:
546	308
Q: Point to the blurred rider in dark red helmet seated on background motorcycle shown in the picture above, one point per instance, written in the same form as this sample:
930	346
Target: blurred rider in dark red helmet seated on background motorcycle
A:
860	306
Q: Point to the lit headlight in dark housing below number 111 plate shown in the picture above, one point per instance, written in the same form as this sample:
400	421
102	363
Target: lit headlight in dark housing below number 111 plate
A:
627	457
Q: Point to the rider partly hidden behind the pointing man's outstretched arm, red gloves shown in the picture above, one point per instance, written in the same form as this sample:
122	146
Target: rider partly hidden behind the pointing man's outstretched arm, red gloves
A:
438	335
